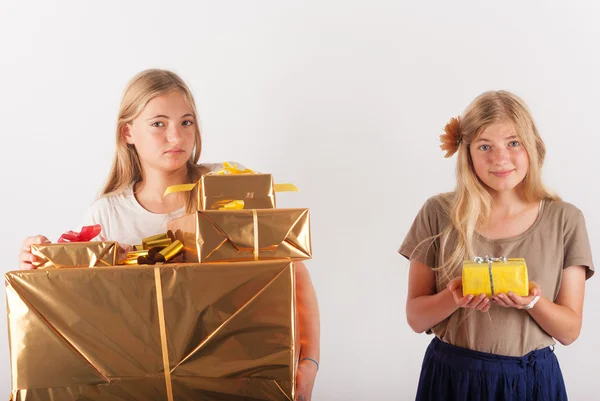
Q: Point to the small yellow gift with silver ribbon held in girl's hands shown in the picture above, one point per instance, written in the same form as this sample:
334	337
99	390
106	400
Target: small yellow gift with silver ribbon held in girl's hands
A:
510	274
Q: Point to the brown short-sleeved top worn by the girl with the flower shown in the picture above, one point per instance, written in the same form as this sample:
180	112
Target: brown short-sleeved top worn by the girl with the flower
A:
556	240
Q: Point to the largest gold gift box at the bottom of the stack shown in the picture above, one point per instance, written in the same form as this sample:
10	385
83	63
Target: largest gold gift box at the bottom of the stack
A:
176	332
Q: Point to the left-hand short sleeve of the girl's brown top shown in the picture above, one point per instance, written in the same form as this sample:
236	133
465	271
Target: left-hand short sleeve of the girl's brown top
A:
421	243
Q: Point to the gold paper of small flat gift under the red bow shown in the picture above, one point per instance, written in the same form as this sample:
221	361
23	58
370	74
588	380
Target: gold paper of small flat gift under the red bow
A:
75	254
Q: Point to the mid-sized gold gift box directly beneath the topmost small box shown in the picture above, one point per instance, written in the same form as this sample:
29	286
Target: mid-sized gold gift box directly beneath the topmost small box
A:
238	235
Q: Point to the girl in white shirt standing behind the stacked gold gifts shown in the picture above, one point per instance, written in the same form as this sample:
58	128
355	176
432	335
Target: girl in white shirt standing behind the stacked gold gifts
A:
159	145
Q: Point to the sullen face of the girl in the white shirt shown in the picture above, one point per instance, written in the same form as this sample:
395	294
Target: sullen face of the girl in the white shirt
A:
164	133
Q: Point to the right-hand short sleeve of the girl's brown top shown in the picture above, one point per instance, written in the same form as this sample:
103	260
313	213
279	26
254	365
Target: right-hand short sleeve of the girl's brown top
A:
578	251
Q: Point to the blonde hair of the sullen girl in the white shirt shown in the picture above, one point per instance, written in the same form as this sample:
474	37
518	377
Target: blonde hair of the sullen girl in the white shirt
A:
126	168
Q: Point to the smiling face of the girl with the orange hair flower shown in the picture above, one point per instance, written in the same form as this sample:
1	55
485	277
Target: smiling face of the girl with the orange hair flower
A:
499	159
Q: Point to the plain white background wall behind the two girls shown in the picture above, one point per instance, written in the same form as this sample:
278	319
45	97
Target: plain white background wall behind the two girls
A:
346	99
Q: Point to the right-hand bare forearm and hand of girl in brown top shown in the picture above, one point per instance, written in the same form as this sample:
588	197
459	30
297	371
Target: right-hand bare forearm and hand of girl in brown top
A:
561	319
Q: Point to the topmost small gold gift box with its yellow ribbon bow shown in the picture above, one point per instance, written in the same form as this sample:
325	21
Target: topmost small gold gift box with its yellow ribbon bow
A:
218	189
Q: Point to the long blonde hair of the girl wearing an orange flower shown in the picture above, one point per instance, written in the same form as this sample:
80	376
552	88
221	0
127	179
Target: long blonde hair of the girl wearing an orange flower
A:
469	206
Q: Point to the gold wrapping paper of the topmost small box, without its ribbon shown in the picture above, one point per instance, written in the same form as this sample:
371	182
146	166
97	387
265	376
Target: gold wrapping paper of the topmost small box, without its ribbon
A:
256	190
